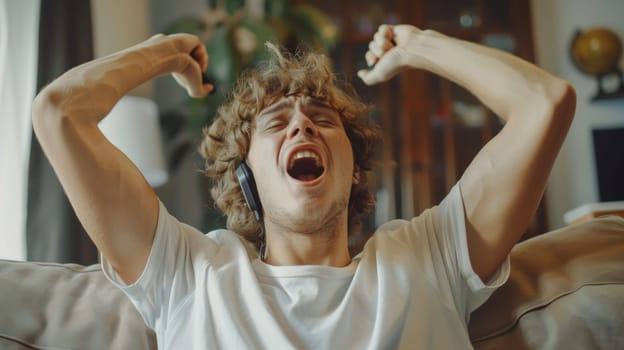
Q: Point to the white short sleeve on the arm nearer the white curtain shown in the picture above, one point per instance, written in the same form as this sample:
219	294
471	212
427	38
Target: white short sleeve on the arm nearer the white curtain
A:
168	276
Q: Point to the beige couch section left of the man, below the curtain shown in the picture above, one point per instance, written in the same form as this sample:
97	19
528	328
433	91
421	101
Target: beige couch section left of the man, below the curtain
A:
64	306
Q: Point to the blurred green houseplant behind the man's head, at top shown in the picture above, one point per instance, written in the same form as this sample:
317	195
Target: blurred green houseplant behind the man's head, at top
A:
235	31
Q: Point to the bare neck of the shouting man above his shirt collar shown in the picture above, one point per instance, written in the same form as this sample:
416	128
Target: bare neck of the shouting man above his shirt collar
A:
327	245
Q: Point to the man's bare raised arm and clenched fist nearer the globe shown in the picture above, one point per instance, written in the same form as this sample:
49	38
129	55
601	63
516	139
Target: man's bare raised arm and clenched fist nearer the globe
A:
502	187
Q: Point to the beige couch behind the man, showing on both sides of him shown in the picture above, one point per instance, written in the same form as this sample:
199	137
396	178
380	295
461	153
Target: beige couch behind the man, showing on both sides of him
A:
566	291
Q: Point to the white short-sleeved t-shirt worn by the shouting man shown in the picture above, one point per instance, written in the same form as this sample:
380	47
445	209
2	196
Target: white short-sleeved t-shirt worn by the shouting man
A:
412	287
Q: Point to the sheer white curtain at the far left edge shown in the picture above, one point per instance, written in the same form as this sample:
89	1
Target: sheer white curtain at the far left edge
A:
19	25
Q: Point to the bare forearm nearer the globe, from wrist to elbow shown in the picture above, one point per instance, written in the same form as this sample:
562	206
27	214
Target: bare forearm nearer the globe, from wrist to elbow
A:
503	82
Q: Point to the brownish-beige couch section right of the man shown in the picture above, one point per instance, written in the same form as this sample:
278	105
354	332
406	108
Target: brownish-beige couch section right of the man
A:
565	291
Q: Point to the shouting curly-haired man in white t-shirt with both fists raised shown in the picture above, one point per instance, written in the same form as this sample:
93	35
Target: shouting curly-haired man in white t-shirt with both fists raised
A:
415	283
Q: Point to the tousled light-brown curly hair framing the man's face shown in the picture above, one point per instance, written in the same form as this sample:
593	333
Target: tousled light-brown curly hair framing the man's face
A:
226	141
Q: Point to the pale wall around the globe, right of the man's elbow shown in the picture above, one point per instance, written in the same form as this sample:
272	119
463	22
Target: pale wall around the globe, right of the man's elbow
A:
573	181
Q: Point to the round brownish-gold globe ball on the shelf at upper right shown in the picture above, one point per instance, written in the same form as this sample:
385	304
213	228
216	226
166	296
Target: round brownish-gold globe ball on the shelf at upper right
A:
596	51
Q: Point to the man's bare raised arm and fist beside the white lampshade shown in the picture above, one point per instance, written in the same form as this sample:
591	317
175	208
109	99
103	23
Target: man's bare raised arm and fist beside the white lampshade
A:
113	201
